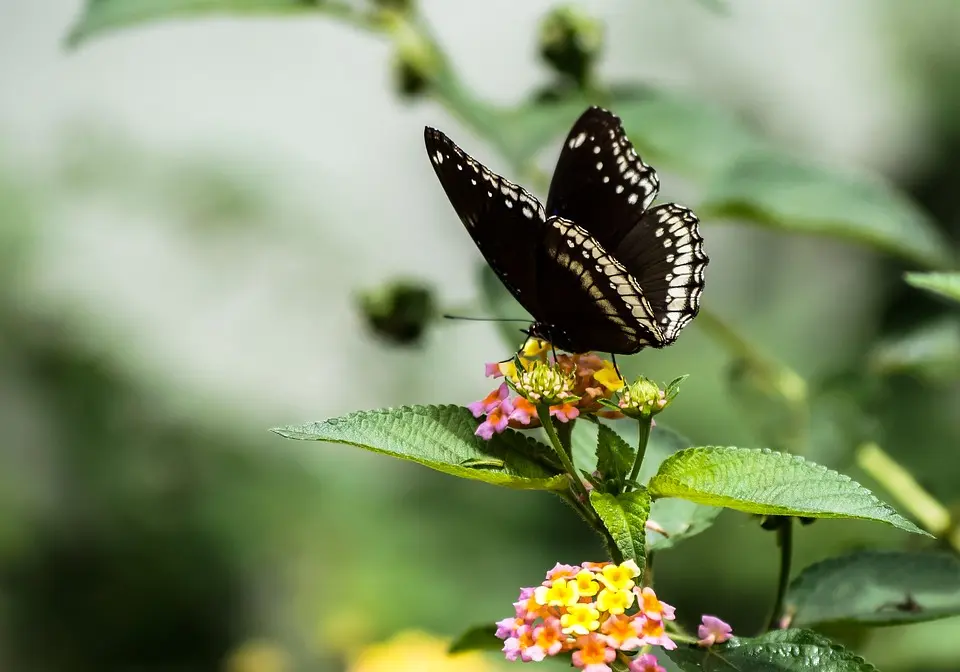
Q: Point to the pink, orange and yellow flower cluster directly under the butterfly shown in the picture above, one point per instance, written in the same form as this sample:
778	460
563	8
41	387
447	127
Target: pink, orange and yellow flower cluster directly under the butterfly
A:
571	384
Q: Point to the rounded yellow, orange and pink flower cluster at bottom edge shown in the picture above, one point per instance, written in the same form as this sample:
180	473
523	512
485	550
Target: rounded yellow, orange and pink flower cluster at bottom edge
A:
593	611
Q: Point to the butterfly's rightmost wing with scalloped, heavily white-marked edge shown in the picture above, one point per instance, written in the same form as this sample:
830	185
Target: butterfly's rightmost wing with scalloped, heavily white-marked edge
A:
664	252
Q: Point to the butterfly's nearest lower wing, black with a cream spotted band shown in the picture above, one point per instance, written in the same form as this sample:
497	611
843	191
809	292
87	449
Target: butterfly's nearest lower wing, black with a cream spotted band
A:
595	304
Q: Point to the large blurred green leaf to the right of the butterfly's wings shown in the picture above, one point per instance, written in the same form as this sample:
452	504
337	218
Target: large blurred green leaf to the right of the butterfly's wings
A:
790	195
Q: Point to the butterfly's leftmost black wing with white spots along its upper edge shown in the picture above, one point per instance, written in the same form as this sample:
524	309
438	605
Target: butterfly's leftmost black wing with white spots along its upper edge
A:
504	220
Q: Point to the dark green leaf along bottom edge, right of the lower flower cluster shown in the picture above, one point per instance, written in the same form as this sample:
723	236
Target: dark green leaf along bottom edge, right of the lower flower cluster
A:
777	651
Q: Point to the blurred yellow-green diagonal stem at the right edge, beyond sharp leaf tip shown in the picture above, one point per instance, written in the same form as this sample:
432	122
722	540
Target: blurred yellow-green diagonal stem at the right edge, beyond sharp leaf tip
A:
903	487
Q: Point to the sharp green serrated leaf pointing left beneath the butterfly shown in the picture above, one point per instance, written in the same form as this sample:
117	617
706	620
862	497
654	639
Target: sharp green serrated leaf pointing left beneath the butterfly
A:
442	438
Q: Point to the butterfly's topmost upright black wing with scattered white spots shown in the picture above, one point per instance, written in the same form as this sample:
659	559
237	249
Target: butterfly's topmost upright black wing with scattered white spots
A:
600	182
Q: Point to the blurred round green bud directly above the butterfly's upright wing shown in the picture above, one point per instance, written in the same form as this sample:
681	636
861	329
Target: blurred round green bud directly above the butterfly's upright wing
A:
571	41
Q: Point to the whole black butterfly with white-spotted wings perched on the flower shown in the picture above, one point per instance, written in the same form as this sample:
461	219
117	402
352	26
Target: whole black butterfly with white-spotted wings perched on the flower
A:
597	269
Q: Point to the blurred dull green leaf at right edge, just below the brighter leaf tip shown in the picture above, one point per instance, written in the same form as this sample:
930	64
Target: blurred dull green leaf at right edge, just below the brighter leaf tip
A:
931	351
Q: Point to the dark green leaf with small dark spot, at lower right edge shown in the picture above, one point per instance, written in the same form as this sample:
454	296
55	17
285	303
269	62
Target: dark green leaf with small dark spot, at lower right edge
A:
877	588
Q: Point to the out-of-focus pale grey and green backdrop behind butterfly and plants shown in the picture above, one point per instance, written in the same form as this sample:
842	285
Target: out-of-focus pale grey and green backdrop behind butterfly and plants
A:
189	212
